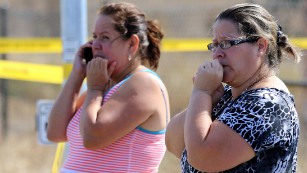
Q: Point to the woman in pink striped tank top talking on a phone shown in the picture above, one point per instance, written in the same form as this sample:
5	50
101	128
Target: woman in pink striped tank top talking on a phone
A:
118	124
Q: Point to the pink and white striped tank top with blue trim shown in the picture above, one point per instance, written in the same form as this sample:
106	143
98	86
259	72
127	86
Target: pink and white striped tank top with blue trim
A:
140	150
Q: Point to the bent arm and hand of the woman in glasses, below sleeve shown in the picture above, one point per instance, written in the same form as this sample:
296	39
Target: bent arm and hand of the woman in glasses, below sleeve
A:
211	146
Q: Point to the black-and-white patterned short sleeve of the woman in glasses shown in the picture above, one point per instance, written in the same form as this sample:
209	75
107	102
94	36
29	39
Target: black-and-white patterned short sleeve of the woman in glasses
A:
261	118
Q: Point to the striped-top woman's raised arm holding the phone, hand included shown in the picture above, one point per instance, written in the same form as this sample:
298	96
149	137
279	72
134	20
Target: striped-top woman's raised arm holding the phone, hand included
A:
68	101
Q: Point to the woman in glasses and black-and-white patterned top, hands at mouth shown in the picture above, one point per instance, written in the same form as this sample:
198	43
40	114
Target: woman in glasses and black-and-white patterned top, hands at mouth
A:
250	124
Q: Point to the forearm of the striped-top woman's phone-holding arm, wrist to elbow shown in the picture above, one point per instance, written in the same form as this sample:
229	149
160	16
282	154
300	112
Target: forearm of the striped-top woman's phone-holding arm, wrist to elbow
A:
64	108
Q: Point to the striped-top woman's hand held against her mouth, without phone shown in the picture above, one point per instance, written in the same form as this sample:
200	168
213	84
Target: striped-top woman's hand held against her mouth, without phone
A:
98	73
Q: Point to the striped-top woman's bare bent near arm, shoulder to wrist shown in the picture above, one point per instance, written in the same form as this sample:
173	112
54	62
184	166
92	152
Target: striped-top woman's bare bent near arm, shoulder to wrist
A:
132	105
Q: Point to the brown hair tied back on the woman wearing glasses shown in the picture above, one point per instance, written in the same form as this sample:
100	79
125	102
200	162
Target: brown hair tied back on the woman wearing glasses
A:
254	20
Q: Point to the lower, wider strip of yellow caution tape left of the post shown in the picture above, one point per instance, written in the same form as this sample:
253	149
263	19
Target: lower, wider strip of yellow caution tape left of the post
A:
31	72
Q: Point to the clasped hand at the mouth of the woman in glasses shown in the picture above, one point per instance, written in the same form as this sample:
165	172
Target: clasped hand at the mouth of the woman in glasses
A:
209	77
